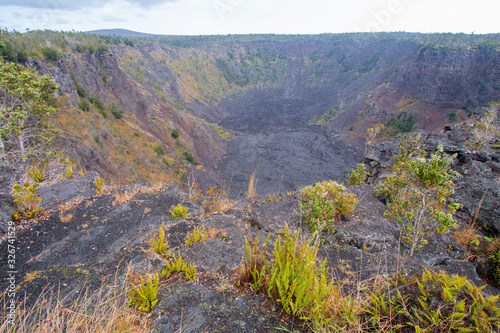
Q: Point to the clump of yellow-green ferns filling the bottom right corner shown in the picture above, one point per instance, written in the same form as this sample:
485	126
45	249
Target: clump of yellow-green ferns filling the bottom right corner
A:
435	302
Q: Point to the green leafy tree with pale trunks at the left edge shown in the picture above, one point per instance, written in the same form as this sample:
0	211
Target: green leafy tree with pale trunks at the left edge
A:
24	110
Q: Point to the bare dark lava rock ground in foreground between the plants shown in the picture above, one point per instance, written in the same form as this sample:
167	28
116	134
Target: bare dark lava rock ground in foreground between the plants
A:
84	240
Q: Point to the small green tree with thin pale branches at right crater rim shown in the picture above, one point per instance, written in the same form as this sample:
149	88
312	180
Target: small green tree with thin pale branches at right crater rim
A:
418	192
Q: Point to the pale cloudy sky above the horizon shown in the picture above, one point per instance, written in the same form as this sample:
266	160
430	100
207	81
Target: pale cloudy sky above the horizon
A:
194	17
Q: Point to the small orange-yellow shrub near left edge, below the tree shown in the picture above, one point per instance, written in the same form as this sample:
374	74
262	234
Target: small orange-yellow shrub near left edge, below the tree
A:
27	200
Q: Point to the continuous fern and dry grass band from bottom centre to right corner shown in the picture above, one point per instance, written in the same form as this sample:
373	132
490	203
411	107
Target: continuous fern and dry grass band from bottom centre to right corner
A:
431	302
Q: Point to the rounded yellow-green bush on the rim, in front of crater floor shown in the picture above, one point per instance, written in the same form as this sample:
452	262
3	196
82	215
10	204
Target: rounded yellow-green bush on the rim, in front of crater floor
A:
325	202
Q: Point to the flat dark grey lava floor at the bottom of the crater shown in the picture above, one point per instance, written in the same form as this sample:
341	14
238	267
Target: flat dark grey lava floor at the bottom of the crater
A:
275	141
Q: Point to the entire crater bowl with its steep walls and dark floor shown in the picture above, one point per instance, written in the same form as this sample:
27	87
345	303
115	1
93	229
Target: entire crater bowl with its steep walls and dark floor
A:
282	96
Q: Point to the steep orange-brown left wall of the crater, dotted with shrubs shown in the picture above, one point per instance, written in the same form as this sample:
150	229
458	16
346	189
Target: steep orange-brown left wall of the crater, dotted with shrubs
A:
127	136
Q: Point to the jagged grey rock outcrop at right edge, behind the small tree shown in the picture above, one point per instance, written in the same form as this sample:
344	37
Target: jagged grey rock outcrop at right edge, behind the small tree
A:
478	189
